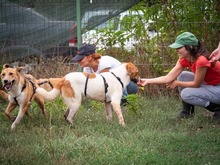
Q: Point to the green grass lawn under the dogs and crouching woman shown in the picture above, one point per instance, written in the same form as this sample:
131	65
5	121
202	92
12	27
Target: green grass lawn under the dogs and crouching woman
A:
153	135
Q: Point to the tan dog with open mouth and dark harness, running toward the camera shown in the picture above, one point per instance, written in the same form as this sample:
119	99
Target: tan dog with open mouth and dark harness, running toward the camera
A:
21	91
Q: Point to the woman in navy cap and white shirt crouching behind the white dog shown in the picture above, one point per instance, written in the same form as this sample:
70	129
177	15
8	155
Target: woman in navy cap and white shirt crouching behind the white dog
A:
93	62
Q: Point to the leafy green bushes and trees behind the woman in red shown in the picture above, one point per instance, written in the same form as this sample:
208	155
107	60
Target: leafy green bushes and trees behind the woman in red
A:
169	19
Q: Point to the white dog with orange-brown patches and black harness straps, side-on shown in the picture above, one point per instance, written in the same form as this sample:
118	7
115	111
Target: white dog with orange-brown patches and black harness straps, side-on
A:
105	87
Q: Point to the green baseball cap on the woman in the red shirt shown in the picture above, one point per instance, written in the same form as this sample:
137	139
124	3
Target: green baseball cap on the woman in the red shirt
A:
185	38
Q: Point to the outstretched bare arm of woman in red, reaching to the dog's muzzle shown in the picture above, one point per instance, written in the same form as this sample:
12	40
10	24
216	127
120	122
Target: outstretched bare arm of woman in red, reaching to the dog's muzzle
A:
170	77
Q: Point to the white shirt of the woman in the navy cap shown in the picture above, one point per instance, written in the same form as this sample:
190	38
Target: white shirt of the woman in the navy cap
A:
104	62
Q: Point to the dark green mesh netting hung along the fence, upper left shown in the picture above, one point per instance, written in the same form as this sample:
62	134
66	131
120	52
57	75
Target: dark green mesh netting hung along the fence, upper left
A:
47	27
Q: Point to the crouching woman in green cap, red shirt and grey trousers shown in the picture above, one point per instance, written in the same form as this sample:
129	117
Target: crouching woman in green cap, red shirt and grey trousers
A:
201	87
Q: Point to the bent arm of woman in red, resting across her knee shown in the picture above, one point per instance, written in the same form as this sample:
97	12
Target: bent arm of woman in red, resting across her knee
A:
198	80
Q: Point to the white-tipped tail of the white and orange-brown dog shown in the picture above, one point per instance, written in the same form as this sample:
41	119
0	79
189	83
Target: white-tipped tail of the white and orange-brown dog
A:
49	96
